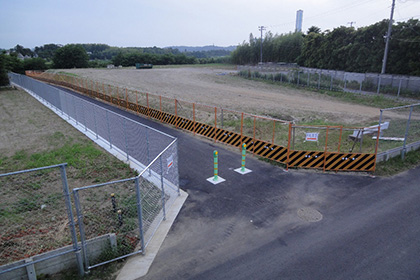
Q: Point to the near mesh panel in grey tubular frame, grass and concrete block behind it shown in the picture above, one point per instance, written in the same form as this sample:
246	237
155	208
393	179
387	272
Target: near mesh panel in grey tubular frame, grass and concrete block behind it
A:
109	221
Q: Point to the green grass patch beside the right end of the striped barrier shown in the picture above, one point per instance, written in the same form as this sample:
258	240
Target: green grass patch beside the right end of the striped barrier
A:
397	165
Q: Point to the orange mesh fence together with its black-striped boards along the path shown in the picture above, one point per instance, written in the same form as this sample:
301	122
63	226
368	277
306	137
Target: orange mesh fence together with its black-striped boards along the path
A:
273	139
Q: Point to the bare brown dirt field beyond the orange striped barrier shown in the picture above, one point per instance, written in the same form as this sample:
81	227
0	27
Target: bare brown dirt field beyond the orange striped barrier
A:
216	87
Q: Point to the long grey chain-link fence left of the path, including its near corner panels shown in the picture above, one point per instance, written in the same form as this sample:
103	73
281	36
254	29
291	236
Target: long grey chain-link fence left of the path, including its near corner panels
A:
108	235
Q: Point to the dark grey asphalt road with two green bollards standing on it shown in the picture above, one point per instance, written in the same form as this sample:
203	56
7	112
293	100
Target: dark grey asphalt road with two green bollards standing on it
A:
249	228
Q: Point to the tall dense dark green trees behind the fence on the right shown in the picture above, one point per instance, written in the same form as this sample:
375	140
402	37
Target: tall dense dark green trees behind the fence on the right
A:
343	48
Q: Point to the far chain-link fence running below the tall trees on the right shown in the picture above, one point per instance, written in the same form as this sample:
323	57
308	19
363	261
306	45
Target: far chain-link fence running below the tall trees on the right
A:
395	85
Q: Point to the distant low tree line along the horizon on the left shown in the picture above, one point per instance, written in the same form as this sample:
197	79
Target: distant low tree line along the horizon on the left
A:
19	58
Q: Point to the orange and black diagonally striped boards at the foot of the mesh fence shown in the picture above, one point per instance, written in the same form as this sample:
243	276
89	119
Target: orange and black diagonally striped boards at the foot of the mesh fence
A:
292	158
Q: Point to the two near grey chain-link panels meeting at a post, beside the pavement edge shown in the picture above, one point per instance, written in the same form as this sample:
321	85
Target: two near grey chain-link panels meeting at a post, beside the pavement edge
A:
119	218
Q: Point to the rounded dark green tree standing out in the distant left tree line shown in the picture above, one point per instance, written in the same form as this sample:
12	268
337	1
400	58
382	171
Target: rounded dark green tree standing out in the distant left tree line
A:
71	56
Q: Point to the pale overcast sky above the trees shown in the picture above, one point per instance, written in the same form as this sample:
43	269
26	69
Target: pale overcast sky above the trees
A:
164	23
